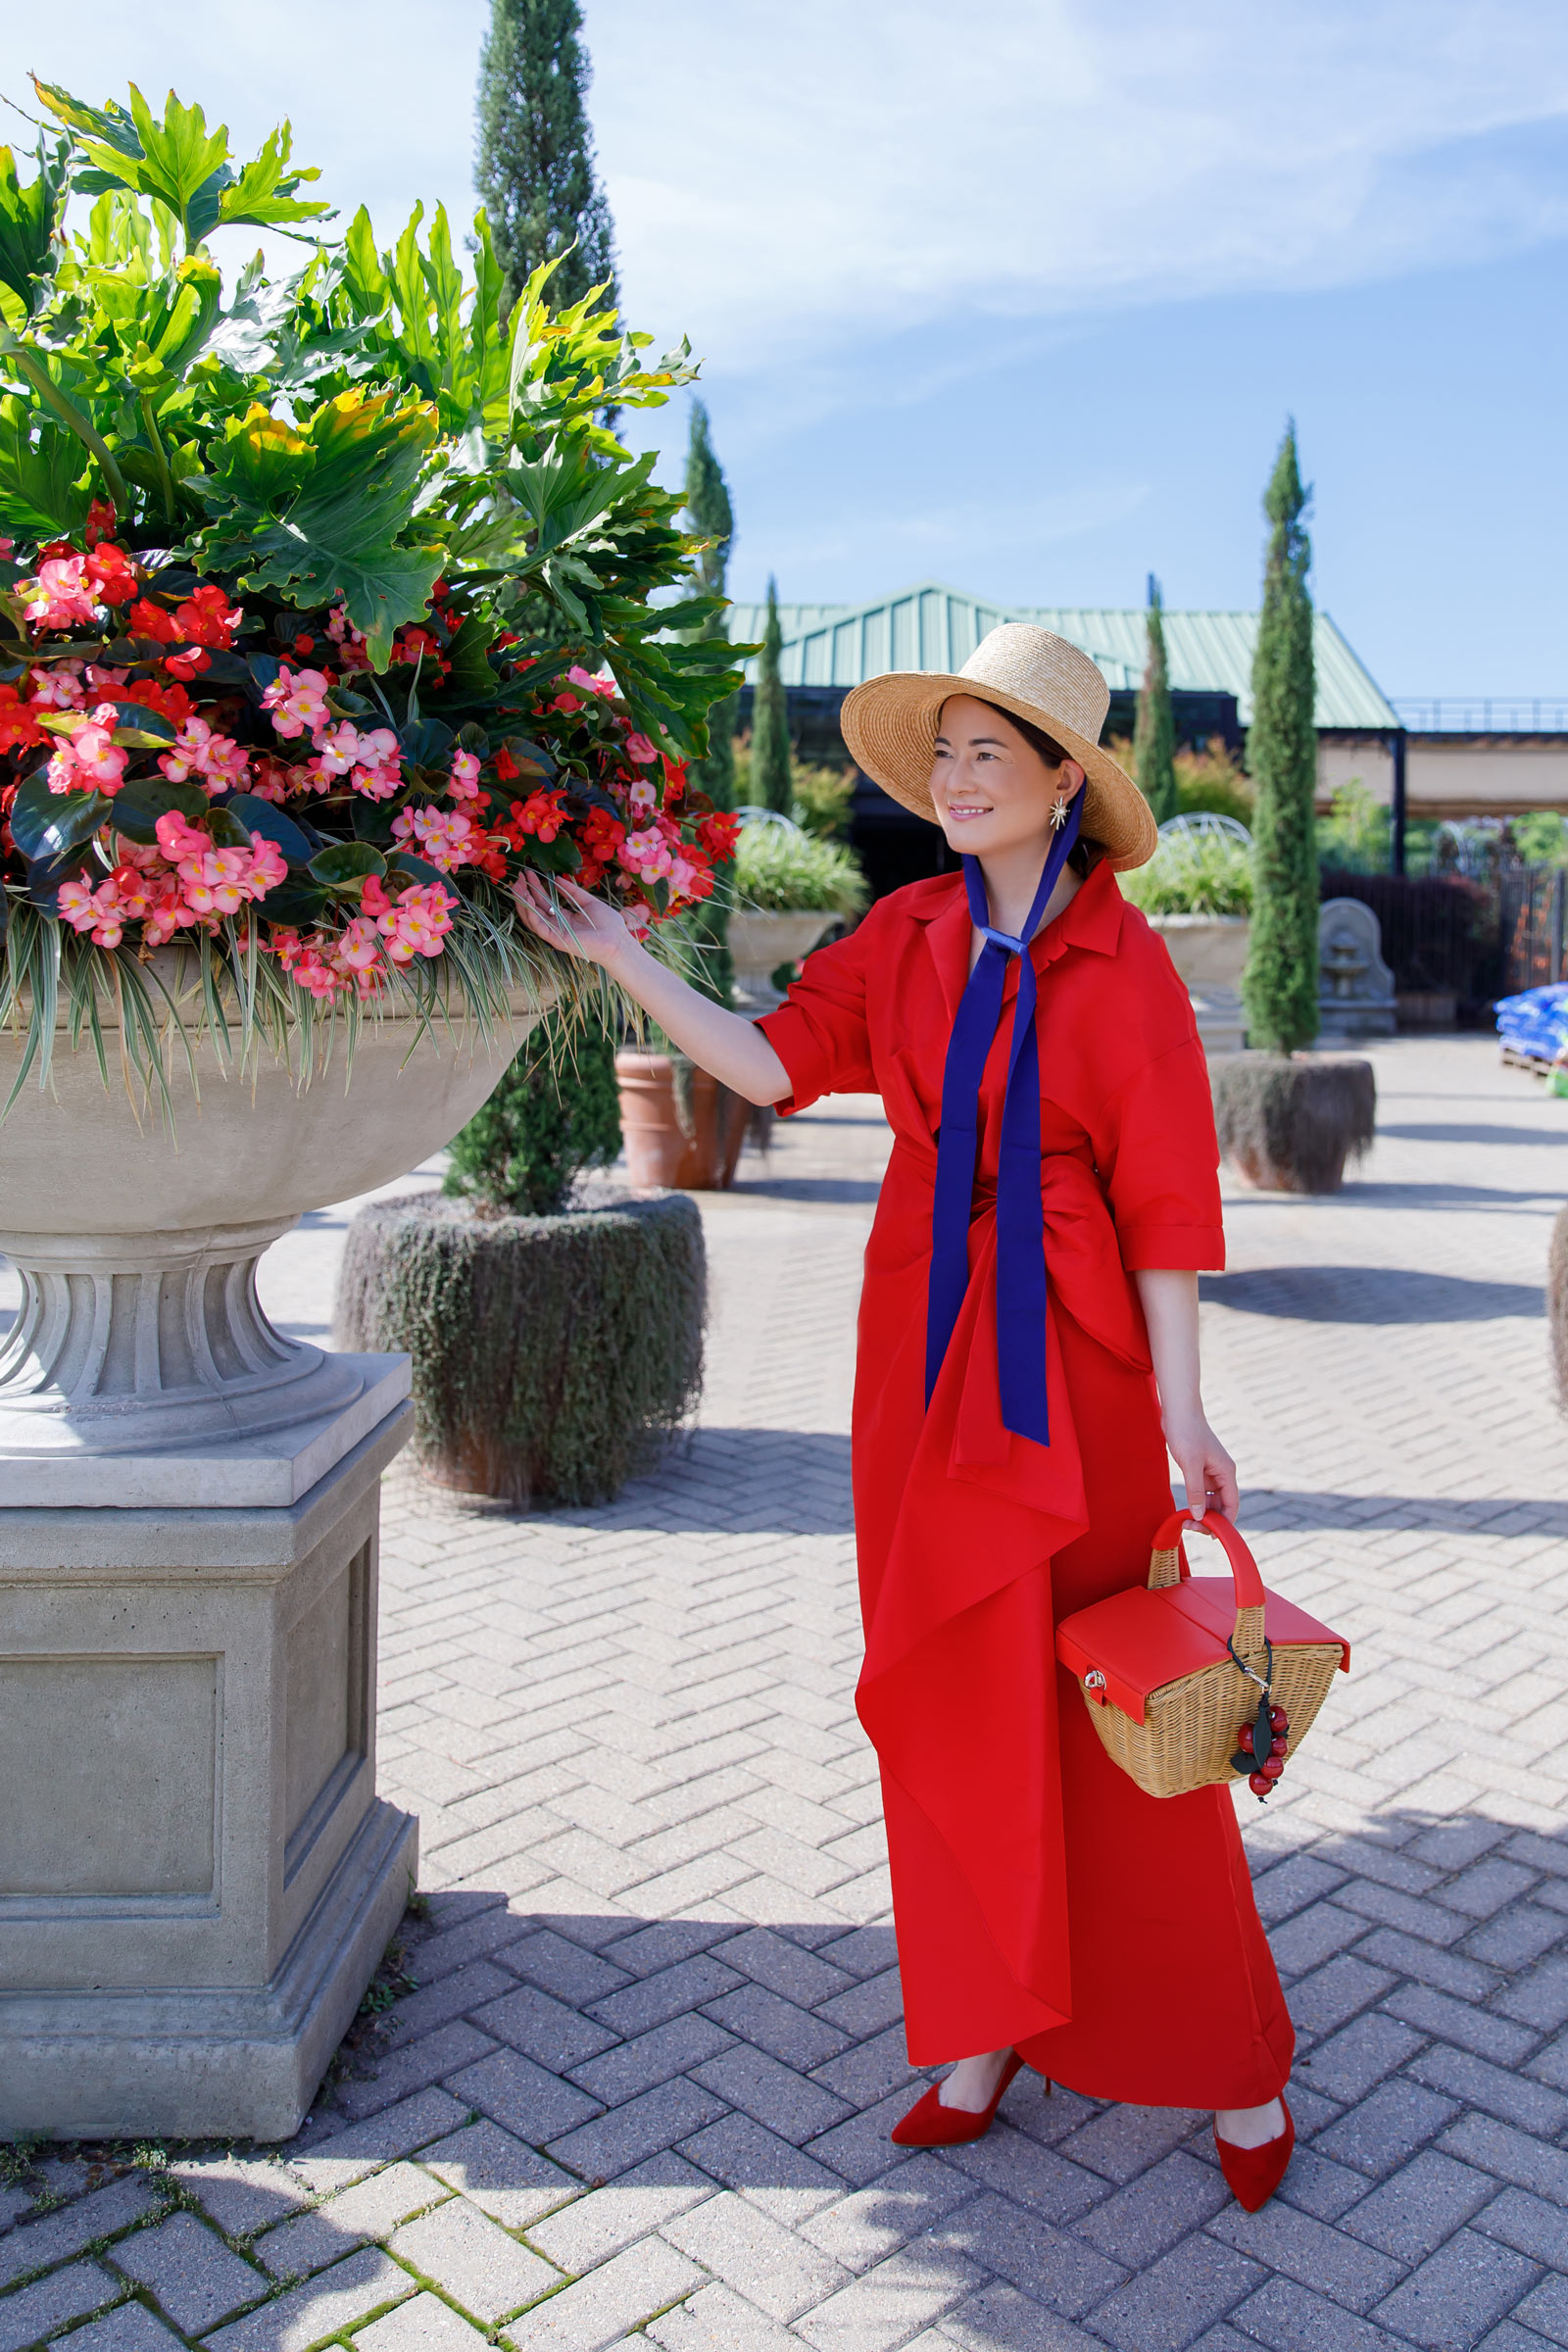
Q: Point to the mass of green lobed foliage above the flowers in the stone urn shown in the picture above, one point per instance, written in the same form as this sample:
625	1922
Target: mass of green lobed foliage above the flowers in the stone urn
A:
351	432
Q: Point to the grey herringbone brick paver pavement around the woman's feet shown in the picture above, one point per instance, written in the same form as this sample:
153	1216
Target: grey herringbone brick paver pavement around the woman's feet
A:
645	2050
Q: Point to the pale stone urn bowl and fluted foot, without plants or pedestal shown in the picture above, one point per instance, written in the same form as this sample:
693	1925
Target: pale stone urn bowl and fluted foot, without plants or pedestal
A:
138	1241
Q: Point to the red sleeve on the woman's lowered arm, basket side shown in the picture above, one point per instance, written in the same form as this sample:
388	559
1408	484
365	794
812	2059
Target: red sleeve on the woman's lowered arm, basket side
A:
1162	1163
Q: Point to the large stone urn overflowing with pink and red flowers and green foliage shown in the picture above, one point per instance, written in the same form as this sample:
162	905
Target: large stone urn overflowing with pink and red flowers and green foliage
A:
328	608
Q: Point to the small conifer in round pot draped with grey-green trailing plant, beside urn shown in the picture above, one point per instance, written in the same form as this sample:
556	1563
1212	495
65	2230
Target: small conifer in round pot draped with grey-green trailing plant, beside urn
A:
556	1339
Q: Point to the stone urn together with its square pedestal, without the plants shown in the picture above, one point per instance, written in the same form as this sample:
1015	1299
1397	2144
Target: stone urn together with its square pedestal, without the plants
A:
196	1873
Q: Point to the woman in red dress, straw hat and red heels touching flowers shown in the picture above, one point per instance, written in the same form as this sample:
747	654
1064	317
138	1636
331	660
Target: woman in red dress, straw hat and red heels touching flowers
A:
1010	1443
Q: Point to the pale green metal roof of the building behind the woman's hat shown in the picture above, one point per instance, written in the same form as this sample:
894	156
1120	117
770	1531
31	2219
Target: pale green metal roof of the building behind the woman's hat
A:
937	629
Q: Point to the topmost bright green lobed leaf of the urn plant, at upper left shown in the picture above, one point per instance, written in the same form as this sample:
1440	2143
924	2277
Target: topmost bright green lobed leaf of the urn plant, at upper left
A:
182	163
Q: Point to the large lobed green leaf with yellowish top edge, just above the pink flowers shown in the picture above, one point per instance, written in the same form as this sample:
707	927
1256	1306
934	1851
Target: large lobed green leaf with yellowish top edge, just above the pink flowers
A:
319	514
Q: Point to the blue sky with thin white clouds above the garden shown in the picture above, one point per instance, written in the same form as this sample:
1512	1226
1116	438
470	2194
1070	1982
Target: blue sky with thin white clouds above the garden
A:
1019	295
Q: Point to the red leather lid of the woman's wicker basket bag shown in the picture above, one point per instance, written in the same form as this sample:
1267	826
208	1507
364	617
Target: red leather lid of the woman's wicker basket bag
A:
1141	1641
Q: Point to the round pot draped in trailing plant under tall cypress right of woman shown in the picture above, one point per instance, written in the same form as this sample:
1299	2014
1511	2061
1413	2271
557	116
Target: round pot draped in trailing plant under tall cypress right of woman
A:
1292	1125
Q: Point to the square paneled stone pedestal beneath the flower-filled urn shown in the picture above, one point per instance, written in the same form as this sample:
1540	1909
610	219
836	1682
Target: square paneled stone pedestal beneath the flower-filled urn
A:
196	1873
